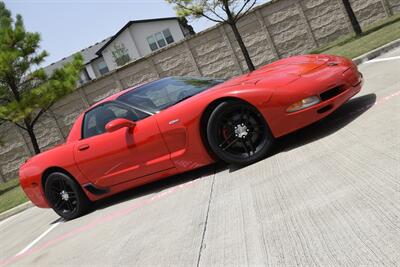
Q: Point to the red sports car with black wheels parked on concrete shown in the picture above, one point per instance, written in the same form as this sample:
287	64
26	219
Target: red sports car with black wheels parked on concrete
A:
177	124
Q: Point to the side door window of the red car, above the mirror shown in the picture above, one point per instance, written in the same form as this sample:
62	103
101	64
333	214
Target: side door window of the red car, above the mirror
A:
95	121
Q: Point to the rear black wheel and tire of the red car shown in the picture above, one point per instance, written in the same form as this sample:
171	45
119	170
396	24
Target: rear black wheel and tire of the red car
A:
65	196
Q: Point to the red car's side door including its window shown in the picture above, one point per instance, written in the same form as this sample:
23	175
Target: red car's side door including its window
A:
108	159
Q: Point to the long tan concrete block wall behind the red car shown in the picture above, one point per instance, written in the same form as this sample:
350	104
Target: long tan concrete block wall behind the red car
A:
278	29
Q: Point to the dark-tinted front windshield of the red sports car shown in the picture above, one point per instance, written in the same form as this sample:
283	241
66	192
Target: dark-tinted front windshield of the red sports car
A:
158	95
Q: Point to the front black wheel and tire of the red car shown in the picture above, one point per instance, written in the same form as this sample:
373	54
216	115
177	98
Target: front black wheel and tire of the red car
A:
237	133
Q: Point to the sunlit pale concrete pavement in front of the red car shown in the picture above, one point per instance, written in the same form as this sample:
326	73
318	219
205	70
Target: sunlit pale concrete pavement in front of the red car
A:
328	196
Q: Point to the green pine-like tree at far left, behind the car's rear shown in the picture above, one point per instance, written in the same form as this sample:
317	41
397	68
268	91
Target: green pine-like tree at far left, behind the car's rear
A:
26	91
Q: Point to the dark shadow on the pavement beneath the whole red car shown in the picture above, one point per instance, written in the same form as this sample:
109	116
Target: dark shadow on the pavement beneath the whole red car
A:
329	125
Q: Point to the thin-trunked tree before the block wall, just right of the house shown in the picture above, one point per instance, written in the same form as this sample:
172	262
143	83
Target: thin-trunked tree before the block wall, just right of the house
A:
225	11
